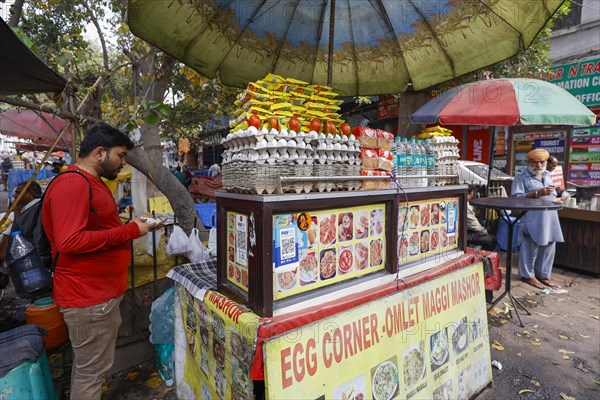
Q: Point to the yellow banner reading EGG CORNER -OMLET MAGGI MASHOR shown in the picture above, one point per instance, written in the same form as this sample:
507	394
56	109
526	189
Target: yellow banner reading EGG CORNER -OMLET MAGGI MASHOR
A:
428	341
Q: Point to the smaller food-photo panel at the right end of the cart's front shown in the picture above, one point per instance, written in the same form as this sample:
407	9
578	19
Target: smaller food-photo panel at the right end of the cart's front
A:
426	229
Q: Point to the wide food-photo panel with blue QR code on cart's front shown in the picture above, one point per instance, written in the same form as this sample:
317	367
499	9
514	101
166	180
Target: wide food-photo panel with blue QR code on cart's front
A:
316	249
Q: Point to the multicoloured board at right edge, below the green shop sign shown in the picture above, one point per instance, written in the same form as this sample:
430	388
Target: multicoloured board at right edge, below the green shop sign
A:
584	166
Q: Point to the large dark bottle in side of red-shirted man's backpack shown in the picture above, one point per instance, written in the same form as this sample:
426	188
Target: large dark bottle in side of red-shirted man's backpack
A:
25	267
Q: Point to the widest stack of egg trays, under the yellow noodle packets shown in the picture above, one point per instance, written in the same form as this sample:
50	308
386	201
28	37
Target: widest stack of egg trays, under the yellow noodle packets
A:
254	161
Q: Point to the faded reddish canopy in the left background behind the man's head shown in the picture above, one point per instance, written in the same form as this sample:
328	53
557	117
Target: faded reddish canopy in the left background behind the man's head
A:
29	124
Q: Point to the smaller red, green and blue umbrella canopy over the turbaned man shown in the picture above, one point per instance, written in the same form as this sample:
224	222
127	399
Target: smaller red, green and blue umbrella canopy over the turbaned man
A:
505	102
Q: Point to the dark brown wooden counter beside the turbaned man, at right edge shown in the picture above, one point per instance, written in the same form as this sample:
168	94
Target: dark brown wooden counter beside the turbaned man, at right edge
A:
581	248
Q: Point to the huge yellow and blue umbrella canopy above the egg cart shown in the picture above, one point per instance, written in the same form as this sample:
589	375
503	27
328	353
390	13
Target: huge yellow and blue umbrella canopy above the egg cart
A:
377	47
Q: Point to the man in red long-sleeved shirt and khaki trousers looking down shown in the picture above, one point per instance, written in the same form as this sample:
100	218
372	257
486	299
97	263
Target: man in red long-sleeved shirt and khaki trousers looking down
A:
90	276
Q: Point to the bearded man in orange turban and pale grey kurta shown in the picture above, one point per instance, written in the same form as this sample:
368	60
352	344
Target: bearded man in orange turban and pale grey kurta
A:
539	230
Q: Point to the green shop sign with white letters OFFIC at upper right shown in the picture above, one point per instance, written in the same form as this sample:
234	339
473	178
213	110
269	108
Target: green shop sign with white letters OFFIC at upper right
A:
581	79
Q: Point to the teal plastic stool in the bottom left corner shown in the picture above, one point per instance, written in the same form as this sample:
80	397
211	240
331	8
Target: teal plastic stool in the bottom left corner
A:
30	380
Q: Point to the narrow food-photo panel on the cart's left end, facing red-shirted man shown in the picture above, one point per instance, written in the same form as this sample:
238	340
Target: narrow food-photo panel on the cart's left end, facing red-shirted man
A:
237	249
